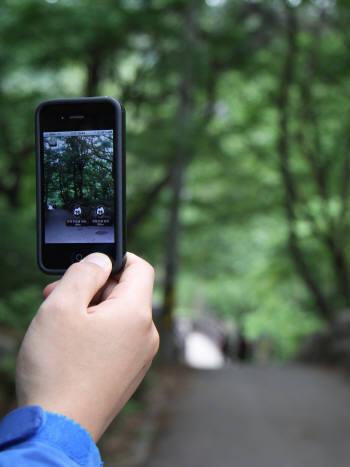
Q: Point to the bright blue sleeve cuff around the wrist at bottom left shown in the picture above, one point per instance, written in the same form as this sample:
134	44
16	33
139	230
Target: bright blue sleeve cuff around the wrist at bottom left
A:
29	436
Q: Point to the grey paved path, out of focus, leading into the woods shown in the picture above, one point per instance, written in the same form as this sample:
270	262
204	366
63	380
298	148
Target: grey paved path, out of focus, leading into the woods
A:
257	417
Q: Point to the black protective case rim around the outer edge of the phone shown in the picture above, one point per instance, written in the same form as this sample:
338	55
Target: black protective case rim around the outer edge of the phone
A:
120	174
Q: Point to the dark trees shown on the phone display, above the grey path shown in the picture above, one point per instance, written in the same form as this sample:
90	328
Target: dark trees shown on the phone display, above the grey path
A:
78	169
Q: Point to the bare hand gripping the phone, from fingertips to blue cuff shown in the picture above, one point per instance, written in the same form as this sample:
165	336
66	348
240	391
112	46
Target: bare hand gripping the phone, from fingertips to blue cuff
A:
90	343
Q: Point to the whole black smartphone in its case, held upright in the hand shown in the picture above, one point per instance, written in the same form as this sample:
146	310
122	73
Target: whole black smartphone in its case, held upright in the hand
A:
80	155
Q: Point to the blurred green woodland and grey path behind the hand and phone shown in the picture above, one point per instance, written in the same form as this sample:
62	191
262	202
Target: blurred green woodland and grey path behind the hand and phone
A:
238	190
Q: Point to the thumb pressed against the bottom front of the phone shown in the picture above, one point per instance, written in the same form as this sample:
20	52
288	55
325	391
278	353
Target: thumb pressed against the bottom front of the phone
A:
82	281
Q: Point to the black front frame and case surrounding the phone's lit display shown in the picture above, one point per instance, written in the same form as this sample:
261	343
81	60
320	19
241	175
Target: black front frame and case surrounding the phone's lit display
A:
101	113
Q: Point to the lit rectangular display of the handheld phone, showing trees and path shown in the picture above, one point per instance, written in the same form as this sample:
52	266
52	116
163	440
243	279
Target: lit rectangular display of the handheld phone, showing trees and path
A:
78	186
